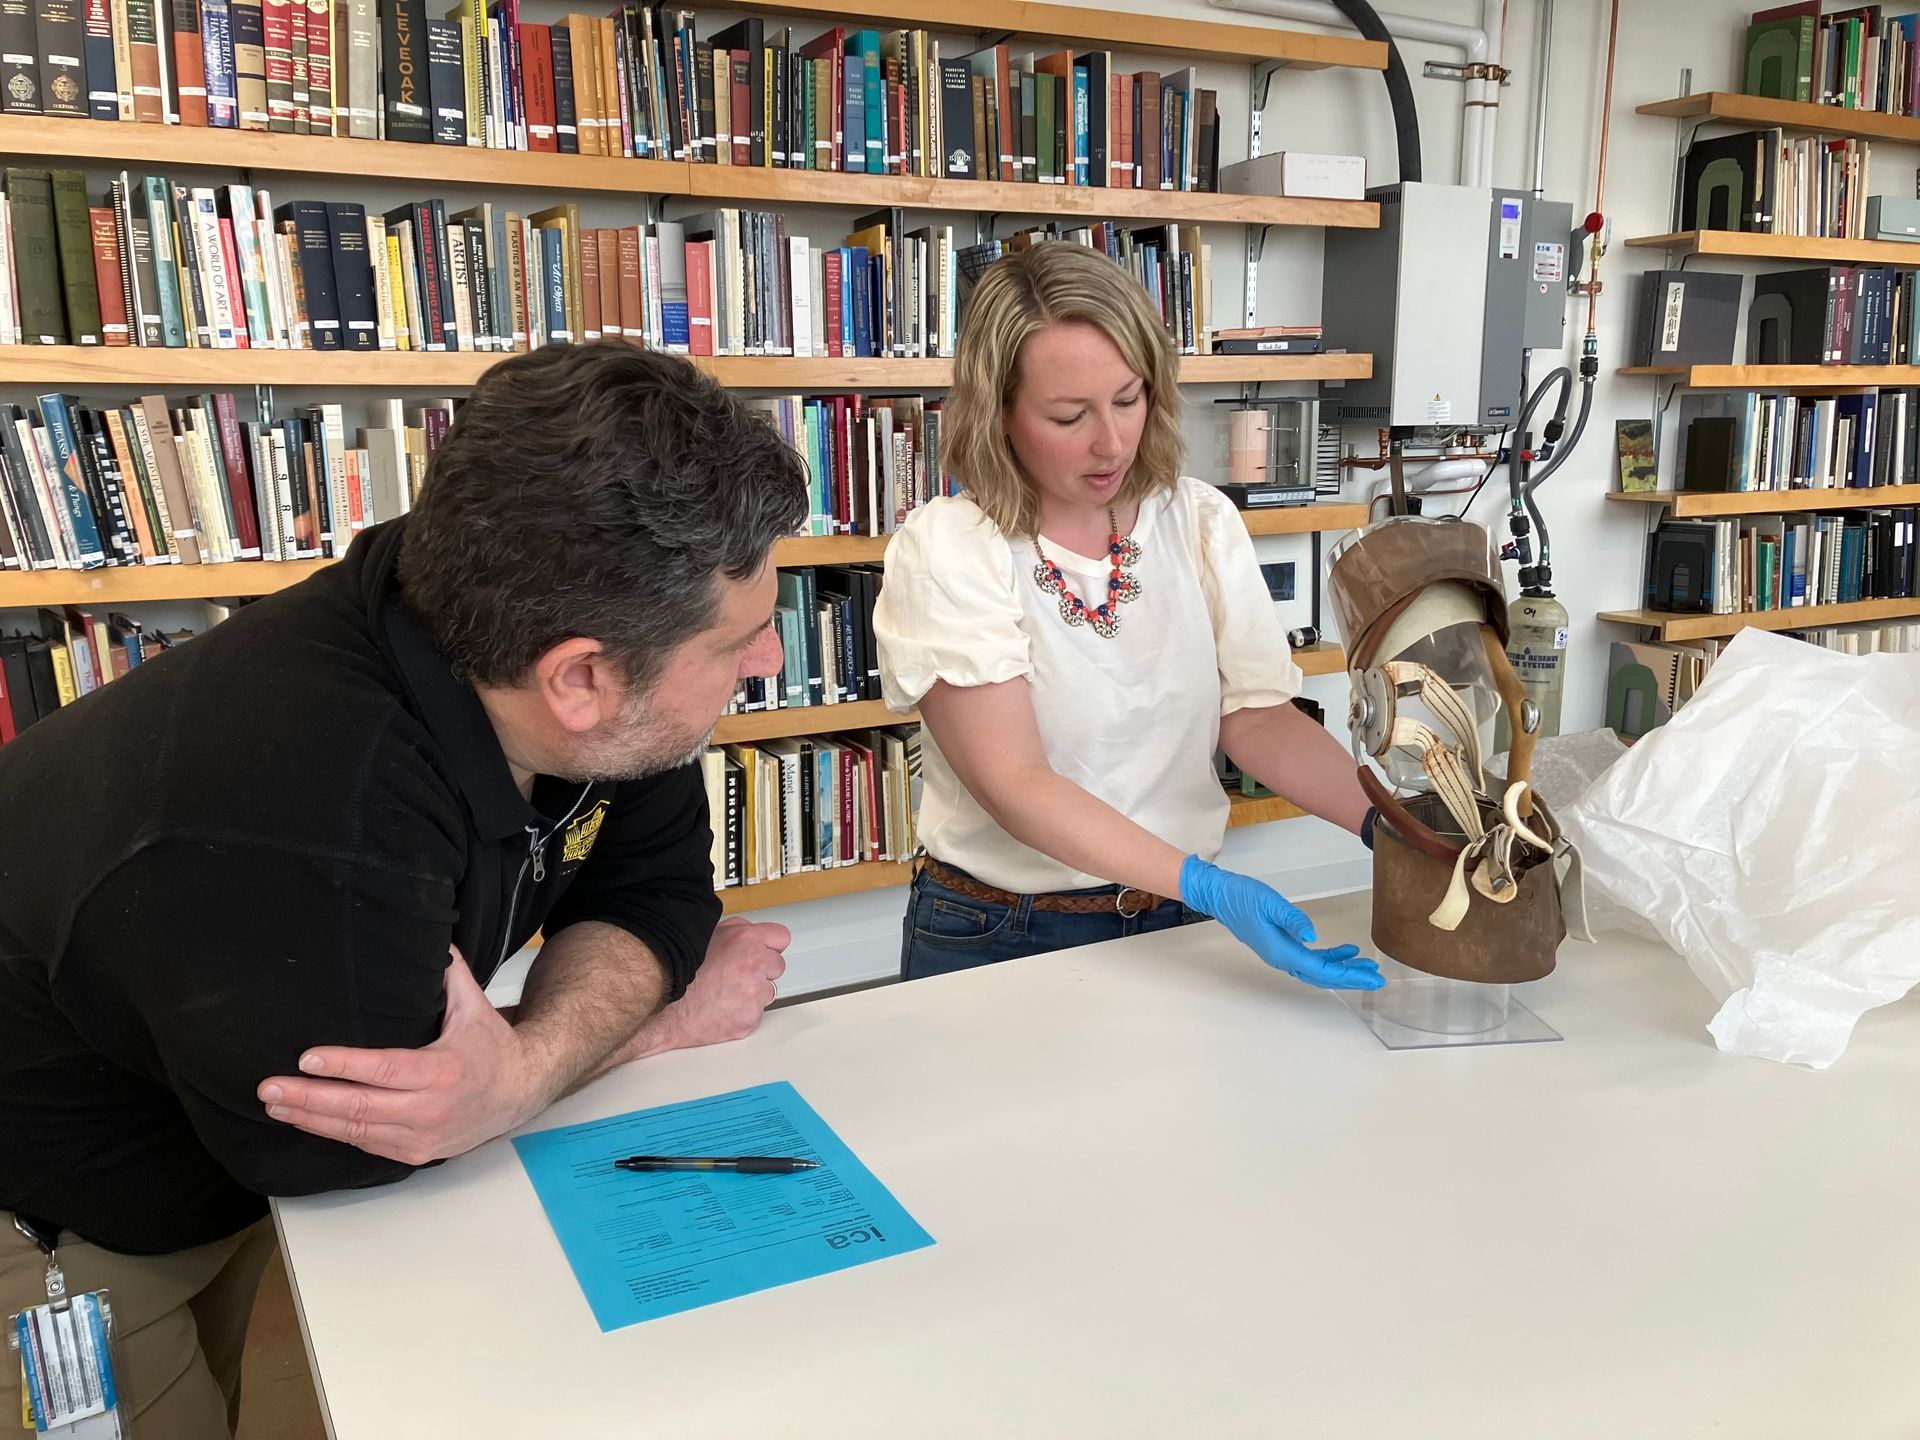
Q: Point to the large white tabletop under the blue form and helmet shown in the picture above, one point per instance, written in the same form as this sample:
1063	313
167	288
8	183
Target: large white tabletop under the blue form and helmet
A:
1178	1195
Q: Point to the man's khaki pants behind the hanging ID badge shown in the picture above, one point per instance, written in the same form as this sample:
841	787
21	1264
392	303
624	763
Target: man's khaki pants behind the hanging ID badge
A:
180	1326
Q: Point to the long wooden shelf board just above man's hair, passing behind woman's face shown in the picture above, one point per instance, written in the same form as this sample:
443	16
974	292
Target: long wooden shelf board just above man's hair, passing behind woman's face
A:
174	370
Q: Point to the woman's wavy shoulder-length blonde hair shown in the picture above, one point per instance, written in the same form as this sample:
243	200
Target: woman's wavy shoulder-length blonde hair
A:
1055	283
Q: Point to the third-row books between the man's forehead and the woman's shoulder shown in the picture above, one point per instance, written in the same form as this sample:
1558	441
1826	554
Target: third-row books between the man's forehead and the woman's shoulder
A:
871	460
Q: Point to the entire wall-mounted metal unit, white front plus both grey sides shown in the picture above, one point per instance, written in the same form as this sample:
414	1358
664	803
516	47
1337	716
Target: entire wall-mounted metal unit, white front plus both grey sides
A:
1445	297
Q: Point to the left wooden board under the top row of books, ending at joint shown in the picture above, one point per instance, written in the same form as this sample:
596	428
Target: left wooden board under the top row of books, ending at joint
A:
331	156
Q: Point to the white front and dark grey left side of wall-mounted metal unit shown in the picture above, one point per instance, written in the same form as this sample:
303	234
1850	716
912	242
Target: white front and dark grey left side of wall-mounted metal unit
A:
1414	297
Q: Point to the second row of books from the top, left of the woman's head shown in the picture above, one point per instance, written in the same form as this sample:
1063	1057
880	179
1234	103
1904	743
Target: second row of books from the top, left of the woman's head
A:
224	268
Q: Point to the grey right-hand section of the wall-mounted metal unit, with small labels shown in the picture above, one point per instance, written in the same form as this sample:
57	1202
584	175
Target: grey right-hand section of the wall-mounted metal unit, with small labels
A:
1525	295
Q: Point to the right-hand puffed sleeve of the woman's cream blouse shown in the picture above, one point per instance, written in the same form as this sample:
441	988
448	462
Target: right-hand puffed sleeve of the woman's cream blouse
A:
1255	663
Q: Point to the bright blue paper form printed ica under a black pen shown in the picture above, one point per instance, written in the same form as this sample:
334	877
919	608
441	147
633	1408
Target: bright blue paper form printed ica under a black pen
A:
648	1245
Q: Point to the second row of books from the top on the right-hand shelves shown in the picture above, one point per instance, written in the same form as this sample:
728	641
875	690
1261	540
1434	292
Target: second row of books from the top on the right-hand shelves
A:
1777	183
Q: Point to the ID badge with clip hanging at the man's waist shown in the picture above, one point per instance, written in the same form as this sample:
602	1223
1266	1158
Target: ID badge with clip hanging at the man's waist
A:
66	1360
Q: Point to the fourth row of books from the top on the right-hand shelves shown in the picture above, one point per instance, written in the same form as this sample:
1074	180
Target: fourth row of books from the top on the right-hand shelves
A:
1746	441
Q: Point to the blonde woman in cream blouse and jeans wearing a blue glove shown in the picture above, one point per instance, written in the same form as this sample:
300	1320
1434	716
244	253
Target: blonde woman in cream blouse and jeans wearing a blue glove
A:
1080	631
